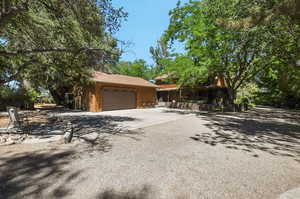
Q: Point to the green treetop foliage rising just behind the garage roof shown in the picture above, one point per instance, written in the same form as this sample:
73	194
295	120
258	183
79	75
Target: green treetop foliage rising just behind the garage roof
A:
137	68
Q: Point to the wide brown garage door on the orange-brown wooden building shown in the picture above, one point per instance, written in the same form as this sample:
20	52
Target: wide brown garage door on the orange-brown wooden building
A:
117	99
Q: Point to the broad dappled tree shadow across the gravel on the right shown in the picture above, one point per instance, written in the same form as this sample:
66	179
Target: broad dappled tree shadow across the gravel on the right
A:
274	131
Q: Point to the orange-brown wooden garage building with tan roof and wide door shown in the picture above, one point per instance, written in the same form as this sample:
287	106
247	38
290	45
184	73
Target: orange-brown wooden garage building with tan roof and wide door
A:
109	92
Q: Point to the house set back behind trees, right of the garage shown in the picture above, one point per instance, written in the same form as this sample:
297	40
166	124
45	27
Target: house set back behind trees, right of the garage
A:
169	91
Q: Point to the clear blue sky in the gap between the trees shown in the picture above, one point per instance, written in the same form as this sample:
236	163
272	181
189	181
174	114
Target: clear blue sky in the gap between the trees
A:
147	21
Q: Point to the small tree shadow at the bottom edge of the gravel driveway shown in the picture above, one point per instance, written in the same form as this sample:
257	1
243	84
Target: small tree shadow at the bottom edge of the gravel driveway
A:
146	192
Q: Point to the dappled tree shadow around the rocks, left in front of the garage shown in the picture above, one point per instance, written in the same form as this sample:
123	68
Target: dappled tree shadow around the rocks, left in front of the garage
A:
91	129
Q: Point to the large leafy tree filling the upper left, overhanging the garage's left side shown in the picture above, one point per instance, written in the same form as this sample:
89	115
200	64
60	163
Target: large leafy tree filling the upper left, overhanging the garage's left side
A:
55	44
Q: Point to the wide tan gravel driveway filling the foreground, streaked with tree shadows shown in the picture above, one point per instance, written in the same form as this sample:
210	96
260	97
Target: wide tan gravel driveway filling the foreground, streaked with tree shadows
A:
249	155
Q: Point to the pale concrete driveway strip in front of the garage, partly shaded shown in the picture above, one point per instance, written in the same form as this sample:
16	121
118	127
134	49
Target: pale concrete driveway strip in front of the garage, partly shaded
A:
91	125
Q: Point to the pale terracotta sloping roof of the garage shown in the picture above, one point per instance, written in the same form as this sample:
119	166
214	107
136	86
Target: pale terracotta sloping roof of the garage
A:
121	79
